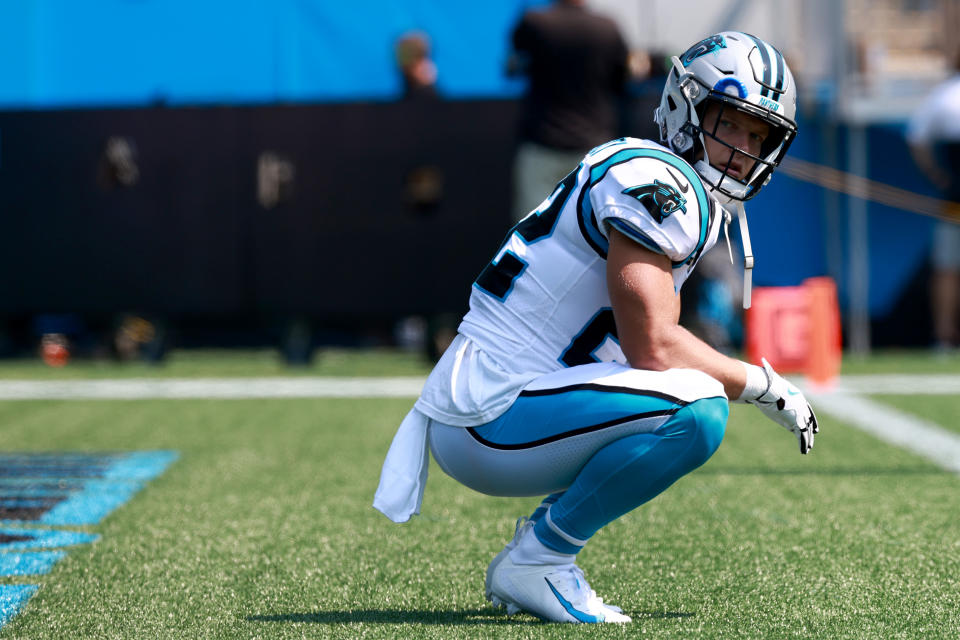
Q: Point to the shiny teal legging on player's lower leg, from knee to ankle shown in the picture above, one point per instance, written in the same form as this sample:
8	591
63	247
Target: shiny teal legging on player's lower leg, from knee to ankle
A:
633	470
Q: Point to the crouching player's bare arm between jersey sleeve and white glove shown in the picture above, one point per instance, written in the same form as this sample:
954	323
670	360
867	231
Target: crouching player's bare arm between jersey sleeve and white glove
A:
647	311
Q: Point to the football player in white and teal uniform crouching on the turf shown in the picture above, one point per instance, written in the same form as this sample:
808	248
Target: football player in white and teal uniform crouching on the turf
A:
570	376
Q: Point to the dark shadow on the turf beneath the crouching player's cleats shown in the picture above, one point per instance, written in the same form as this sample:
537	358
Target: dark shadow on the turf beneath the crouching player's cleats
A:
465	617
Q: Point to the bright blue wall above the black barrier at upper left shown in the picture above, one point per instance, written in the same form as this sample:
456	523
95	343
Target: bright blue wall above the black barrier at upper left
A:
118	52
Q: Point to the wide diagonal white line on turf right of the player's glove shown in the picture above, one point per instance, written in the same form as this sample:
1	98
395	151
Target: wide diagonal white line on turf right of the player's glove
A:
893	426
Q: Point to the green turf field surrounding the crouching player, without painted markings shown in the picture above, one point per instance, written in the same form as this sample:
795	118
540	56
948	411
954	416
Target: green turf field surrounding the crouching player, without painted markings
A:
263	529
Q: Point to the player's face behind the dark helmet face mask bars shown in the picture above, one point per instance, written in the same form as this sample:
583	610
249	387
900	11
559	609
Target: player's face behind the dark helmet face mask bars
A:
739	130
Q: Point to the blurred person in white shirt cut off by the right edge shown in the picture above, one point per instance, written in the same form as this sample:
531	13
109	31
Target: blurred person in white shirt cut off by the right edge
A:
934	138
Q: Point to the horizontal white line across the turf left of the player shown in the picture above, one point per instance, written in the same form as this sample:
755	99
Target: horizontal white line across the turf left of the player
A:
210	388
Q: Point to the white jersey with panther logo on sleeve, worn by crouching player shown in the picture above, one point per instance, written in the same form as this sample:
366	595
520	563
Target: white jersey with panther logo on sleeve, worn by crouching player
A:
542	302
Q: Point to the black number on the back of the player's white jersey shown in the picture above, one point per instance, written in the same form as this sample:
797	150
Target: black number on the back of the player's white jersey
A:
497	278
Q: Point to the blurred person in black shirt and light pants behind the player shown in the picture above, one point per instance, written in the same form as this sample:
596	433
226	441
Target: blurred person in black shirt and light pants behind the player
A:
576	63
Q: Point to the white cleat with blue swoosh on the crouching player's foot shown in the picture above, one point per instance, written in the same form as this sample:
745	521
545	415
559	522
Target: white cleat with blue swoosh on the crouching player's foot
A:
553	593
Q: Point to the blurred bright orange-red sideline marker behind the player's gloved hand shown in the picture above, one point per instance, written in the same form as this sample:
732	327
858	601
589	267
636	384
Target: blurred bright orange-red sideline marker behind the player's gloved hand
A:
797	329
